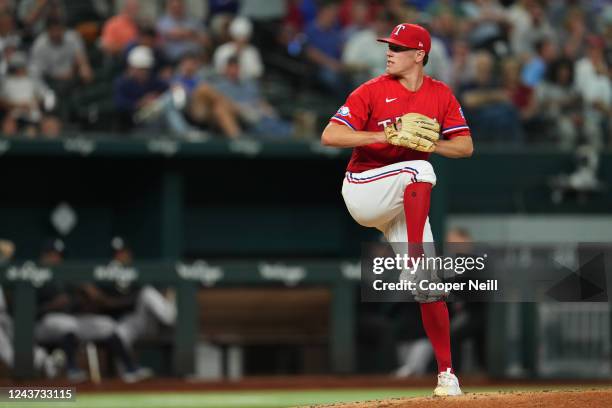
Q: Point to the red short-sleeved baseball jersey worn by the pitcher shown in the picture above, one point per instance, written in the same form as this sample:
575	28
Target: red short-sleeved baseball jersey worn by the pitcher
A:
384	99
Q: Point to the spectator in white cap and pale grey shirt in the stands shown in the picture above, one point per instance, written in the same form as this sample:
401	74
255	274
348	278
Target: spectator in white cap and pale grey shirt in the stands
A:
248	56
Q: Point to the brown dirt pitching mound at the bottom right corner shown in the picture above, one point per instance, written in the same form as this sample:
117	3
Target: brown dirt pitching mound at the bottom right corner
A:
518	399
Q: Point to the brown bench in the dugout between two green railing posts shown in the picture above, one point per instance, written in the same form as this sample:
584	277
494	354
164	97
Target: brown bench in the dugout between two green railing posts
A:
238	317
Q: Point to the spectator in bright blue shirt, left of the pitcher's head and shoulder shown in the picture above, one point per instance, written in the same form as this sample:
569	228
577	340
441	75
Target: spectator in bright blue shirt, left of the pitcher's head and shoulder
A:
324	49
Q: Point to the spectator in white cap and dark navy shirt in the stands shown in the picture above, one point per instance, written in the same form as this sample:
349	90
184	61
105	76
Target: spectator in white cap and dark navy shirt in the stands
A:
137	87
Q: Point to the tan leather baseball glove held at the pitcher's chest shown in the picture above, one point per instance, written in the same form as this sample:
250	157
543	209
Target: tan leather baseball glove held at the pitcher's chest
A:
414	131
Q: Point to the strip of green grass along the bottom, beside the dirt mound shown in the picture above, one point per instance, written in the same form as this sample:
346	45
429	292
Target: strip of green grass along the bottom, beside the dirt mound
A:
245	399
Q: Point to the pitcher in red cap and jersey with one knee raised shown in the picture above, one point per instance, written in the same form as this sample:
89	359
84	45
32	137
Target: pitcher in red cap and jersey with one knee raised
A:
388	185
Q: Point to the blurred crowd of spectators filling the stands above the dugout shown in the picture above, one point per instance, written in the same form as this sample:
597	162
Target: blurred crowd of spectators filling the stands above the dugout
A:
525	71
